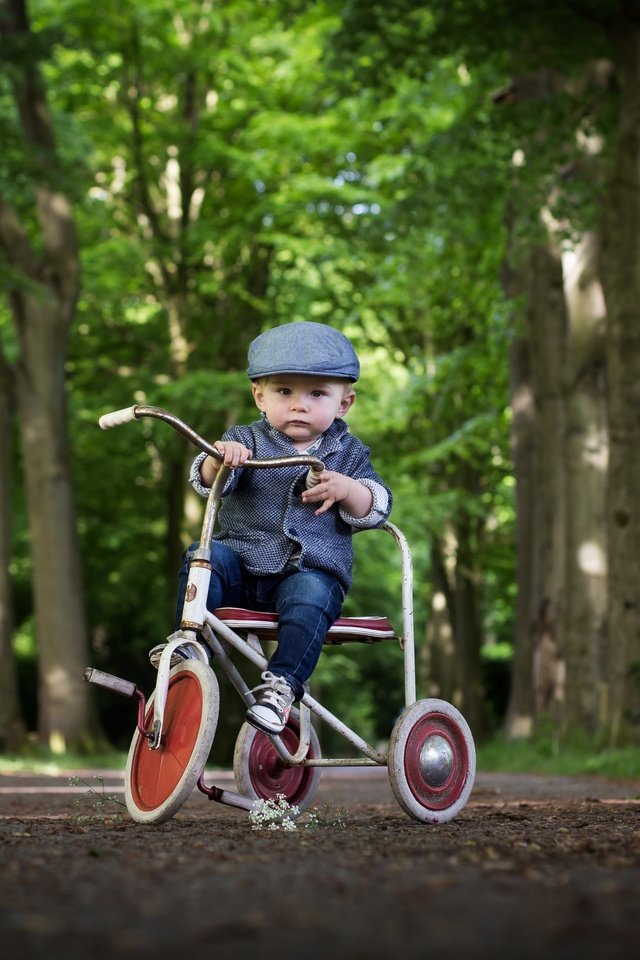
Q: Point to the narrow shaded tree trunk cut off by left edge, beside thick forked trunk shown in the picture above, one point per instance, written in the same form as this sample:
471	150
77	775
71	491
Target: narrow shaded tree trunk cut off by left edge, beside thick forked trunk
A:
12	725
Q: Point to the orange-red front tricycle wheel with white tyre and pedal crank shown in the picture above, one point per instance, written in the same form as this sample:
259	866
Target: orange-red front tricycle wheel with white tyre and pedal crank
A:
158	782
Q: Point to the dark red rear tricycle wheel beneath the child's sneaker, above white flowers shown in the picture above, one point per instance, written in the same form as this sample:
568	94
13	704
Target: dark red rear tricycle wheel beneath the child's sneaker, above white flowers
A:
260	774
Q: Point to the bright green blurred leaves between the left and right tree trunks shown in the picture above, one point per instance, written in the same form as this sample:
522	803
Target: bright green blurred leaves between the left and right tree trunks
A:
246	164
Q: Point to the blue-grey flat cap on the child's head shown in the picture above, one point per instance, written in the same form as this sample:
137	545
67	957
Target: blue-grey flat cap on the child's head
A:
303	347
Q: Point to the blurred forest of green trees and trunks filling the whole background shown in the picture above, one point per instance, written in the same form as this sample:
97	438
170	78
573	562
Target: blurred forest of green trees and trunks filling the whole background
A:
453	185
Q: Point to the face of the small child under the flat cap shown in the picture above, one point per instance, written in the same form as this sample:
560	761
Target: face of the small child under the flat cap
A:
302	407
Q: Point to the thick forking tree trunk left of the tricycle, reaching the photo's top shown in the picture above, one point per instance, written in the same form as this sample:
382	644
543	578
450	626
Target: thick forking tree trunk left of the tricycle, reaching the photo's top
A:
43	305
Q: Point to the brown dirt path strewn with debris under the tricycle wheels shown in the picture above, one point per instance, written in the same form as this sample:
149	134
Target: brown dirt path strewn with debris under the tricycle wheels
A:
533	867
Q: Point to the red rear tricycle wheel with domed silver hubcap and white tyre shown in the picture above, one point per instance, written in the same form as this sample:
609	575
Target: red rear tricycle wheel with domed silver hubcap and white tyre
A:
432	761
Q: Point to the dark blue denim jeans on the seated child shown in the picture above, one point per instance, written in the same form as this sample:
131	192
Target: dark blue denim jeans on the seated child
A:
306	601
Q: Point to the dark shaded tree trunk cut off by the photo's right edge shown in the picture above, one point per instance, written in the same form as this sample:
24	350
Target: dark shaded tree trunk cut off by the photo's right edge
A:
621	281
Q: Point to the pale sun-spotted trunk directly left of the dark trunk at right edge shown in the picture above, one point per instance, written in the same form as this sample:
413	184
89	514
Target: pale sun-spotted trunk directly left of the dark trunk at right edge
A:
583	624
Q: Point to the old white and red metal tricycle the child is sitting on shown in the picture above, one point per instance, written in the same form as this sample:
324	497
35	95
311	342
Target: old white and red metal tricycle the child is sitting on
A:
431	753
